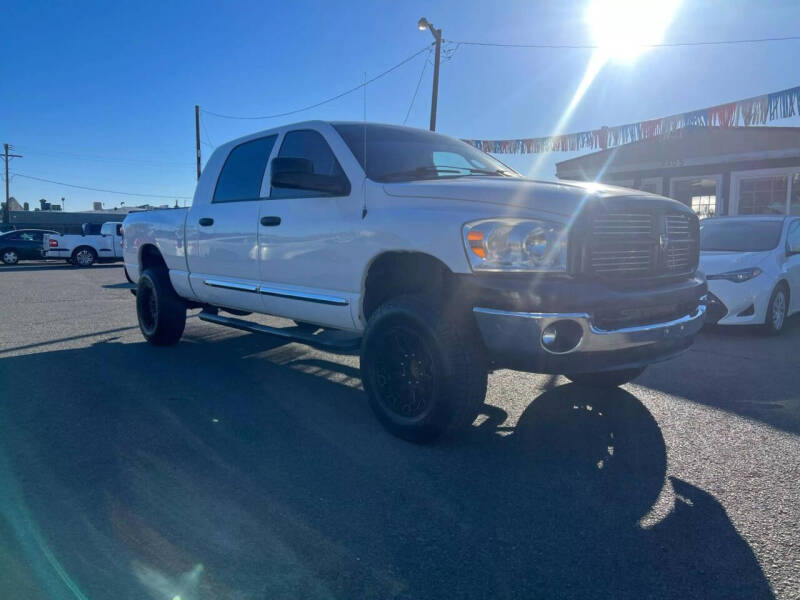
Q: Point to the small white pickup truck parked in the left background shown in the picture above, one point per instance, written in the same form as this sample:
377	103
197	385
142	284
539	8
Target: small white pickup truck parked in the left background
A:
86	249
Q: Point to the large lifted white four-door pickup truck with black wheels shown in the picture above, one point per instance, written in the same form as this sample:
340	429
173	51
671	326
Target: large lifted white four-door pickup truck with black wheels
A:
434	260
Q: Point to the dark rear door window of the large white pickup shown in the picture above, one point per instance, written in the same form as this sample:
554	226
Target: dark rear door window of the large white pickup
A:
243	171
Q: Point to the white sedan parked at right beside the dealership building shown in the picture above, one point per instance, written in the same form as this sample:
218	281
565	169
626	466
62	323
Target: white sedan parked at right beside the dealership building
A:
753	268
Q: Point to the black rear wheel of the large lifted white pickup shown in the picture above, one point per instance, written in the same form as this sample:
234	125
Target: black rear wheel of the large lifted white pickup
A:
161	312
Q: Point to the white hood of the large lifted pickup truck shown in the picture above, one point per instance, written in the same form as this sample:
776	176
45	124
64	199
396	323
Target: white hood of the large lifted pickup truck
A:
562	198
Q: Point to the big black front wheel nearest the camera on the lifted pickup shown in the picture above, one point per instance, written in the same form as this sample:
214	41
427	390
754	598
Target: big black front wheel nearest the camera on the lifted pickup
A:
423	368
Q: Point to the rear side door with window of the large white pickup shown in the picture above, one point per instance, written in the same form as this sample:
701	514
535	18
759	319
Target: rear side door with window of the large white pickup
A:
222	235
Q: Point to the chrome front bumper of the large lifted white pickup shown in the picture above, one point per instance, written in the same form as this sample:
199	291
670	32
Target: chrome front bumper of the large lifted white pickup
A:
515	340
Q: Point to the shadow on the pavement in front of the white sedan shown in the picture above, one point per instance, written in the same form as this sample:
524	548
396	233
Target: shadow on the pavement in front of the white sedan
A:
739	370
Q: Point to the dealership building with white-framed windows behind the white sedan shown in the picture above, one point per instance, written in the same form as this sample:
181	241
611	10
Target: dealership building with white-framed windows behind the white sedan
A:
714	170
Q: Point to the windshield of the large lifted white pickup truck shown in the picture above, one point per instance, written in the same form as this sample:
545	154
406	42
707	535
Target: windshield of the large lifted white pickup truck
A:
406	154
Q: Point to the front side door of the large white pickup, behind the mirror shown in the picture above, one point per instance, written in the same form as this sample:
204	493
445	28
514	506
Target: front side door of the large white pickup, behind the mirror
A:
308	238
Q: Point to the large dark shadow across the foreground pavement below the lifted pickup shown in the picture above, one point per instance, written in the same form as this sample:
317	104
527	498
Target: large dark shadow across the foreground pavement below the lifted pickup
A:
208	471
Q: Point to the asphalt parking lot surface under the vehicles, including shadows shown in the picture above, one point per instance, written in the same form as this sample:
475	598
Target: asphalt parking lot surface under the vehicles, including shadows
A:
233	466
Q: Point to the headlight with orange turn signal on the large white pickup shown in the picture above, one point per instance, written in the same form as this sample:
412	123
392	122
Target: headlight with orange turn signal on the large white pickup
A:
506	244
